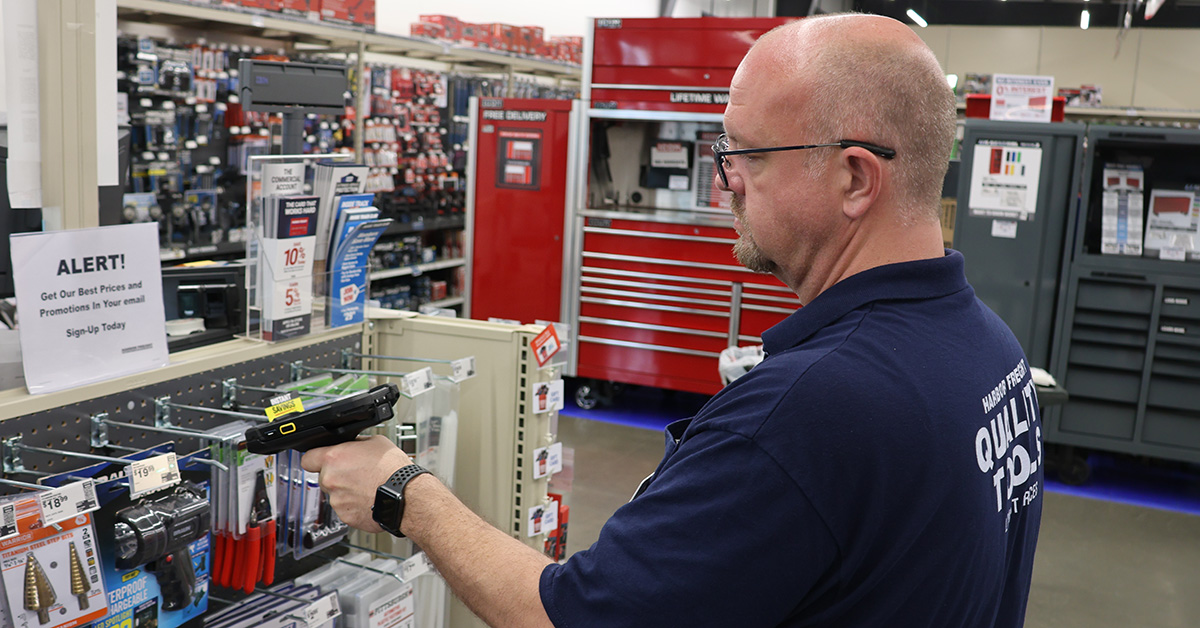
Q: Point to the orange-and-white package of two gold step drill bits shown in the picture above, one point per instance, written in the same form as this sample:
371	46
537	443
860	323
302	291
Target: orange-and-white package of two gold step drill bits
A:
51	576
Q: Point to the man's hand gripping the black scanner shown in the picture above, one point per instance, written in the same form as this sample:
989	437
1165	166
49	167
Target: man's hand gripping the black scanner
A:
351	474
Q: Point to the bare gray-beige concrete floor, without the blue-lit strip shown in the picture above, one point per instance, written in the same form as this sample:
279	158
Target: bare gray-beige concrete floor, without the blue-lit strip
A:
1099	565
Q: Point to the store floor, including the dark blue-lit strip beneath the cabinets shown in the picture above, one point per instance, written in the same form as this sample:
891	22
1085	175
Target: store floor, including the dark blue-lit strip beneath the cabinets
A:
1123	552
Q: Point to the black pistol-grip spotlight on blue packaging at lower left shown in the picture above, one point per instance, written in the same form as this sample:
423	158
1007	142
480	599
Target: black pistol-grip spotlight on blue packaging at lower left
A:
157	534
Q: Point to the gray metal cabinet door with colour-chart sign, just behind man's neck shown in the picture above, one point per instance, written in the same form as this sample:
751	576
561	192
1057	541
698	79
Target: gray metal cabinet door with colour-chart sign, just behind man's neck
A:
1018	274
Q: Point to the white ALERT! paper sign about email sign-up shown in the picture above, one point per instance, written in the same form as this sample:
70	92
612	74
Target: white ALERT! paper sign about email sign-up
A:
91	304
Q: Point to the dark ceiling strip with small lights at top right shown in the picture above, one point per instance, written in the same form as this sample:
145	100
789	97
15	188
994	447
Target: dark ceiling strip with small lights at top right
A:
1174	14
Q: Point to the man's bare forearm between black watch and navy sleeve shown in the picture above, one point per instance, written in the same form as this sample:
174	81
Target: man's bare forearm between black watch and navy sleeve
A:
495	575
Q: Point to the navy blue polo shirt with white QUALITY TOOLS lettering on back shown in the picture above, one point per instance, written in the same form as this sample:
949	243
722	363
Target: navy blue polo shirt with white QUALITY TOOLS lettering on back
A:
883	466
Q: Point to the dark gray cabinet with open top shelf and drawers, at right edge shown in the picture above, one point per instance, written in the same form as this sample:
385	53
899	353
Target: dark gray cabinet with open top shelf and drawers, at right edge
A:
1129	340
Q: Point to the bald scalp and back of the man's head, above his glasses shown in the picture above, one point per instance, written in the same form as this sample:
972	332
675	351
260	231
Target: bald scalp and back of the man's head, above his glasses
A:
862	77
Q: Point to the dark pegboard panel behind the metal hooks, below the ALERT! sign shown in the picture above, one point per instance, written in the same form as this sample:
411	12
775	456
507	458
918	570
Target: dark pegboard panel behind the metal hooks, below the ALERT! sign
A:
69	428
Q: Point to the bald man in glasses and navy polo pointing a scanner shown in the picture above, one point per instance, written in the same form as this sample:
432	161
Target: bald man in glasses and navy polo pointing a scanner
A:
881	468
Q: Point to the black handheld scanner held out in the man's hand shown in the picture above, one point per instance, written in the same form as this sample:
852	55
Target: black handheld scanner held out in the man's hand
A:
334	423
